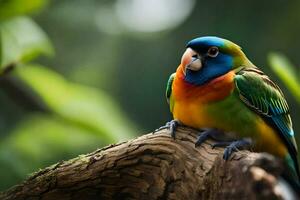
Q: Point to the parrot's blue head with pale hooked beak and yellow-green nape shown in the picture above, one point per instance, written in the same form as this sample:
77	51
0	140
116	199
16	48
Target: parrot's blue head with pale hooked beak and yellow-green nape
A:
207	58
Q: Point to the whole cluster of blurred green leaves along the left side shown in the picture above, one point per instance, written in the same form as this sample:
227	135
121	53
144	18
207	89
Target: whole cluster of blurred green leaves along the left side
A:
52	118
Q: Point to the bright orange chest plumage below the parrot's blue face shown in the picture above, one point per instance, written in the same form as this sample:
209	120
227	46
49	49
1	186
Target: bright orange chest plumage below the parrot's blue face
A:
190	101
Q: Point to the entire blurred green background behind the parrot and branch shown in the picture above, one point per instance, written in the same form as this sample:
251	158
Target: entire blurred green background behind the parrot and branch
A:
77	75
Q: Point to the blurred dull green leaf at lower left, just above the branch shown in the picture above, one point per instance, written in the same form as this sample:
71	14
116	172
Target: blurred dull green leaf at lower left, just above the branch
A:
38	141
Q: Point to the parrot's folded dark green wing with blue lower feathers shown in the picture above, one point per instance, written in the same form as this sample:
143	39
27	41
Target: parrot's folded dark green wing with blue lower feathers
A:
264	97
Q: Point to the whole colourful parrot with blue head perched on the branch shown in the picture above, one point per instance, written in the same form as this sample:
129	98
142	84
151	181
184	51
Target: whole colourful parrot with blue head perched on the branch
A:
218	90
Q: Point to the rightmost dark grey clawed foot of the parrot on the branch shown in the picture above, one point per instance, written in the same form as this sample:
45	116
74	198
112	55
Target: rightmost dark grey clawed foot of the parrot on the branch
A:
233	146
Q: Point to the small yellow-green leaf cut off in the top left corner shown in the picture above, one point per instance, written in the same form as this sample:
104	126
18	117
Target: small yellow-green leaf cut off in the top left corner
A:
10	8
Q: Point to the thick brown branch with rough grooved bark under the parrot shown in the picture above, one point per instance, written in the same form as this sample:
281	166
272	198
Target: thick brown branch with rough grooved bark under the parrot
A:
155	166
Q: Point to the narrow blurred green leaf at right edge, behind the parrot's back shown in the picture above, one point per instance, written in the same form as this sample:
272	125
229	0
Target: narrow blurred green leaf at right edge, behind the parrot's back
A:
286	72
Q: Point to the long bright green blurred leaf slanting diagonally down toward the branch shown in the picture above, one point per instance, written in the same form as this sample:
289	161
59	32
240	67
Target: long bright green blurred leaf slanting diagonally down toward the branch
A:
84	106
